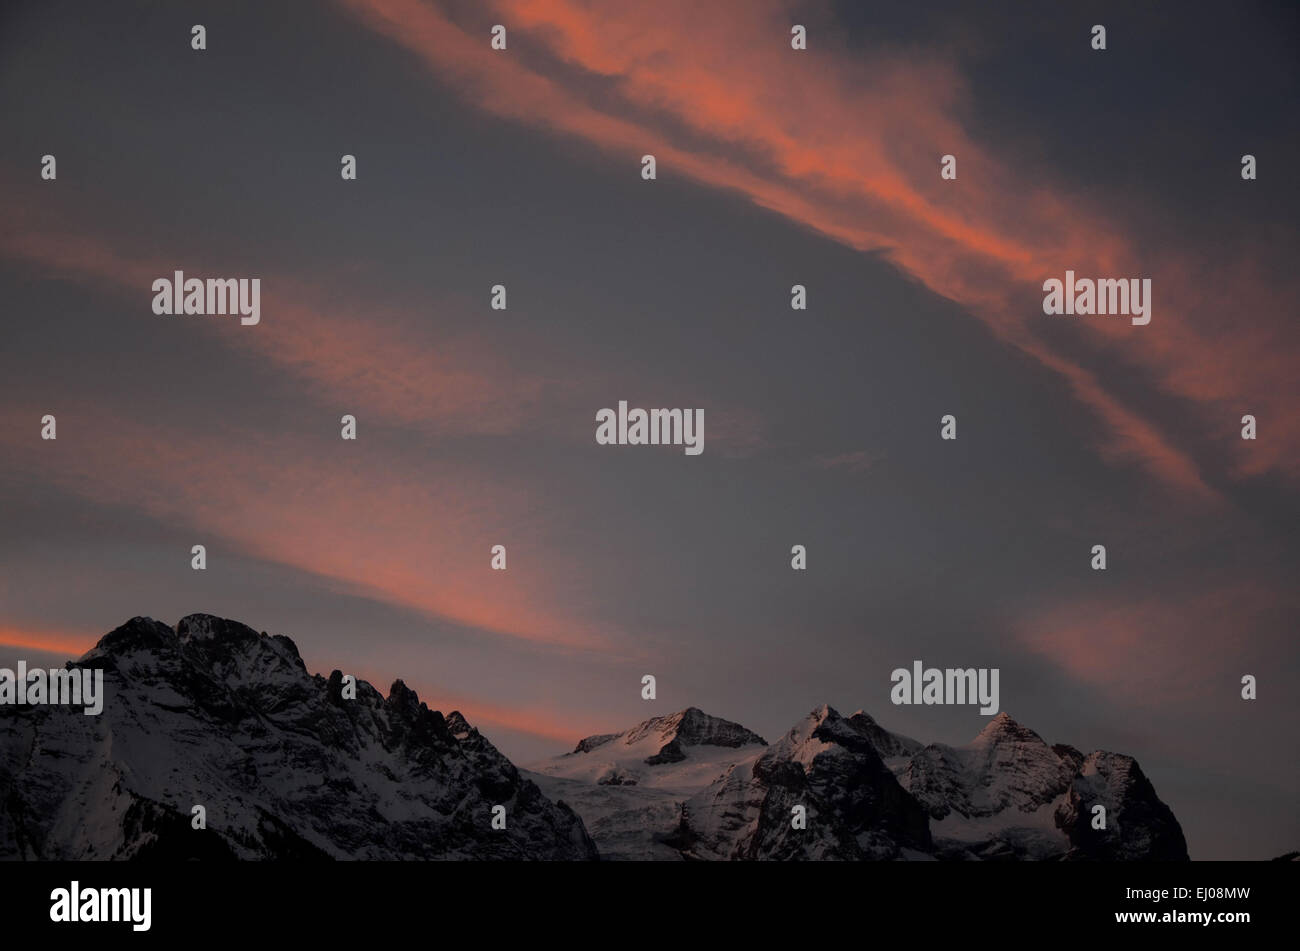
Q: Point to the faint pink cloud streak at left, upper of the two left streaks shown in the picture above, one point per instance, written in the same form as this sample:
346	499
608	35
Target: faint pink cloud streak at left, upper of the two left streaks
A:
380	362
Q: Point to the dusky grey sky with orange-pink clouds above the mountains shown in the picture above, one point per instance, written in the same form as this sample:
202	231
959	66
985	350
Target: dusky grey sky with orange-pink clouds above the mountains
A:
476	428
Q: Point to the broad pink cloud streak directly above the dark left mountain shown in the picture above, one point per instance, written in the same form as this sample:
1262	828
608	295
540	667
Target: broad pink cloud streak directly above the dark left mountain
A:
367	522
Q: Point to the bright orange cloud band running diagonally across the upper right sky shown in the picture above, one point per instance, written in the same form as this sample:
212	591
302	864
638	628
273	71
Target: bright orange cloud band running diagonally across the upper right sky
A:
851	150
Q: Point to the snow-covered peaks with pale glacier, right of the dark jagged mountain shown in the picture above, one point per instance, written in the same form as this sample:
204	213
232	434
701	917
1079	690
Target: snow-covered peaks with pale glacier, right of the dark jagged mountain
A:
866	794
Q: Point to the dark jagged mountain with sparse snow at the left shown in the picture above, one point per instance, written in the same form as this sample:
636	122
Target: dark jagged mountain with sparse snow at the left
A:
215	715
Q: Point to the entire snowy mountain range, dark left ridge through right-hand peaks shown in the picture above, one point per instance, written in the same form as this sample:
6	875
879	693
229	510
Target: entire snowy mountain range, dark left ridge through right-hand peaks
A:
289	765
